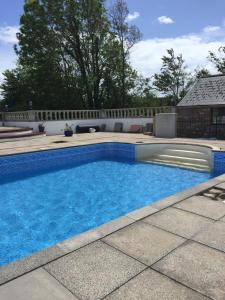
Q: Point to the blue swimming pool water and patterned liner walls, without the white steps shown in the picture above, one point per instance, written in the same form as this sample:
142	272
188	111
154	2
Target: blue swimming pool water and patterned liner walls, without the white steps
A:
49	196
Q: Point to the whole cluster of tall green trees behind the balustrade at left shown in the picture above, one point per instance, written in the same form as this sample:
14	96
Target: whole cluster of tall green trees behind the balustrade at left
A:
72	55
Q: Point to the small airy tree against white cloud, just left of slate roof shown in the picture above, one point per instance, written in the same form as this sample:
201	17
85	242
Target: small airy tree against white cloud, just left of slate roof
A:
173	81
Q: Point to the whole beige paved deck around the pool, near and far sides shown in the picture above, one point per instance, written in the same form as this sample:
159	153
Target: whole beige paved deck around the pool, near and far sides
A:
173	249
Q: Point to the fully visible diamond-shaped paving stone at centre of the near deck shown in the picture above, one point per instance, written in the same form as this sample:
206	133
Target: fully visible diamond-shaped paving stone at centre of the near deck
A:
144	242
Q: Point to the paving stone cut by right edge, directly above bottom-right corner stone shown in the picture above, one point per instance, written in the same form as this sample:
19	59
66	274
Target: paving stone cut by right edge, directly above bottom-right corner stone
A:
214	236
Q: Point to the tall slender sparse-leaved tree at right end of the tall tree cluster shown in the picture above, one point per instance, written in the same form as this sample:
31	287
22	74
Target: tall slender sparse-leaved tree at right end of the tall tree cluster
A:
127	36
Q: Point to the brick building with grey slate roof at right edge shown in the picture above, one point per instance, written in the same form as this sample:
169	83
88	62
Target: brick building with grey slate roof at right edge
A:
201	113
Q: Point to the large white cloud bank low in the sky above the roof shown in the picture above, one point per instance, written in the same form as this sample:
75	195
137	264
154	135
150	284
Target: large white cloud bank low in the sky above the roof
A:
146	55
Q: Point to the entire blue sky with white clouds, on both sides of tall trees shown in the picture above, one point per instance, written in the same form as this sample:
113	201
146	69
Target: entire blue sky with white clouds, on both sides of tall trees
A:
191	27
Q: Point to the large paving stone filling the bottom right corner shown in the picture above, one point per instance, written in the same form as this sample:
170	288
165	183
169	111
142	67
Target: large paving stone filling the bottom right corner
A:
198	267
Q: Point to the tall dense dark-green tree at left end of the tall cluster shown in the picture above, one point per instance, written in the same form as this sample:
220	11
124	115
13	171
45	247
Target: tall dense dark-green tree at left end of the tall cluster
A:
39	58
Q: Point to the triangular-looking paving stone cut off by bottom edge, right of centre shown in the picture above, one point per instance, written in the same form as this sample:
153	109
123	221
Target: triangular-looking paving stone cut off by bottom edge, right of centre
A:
150	285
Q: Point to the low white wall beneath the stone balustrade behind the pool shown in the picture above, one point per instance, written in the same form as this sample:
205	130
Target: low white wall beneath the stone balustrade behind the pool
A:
57	127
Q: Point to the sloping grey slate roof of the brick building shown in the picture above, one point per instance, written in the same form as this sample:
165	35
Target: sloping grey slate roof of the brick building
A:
206	91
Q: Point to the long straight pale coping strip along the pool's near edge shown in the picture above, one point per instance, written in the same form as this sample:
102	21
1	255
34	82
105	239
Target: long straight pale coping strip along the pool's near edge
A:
39	259
